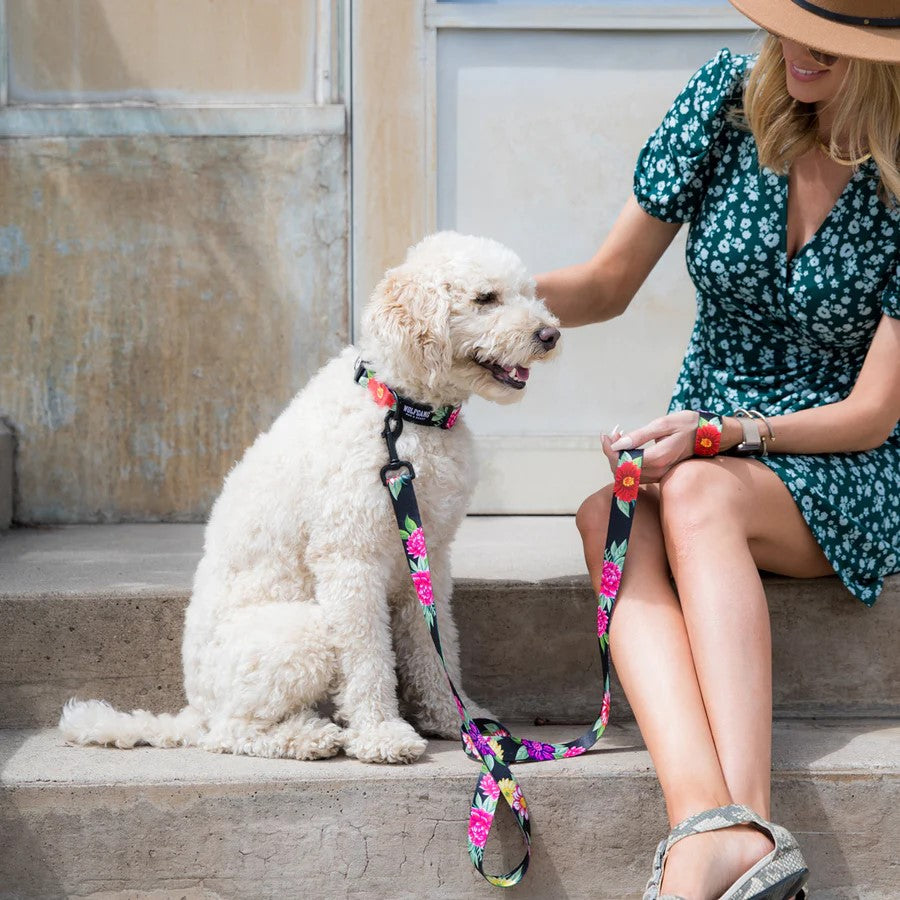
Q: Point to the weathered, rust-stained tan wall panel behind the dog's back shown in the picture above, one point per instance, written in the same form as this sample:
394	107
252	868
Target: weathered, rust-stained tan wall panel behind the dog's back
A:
160	301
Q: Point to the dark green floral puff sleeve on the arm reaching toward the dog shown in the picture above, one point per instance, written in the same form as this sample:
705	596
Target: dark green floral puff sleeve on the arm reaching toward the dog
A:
674	166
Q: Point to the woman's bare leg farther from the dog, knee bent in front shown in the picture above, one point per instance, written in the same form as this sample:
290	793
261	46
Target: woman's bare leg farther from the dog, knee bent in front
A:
721	519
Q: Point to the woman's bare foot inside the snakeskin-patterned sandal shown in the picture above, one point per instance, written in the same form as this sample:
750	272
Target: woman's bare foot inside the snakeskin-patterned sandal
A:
704	866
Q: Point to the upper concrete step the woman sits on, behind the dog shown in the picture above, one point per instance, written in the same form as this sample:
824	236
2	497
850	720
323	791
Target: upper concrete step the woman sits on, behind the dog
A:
96	611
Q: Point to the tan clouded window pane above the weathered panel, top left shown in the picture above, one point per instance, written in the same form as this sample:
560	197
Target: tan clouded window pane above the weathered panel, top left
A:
164	50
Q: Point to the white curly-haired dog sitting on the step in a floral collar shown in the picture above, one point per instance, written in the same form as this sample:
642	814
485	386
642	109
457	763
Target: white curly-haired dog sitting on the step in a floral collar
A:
303	591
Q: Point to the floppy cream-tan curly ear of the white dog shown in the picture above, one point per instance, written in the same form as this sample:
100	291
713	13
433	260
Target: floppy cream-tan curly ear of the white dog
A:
408	319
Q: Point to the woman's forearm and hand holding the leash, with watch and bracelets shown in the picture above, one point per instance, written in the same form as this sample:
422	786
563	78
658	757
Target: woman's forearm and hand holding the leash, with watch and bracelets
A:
861	421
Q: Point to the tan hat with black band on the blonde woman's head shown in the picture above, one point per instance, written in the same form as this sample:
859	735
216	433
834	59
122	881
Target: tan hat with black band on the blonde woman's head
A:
863	29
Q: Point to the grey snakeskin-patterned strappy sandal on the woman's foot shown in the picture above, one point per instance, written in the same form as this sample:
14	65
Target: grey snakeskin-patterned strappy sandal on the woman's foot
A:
780	874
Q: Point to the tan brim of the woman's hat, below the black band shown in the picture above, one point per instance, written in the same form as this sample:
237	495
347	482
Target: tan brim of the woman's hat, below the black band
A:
791	21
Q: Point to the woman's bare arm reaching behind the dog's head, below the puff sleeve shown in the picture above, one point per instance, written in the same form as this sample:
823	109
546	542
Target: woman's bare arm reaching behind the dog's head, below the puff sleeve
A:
602	287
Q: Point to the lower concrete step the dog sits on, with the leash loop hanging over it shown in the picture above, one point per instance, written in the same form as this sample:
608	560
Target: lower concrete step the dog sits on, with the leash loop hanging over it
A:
88	822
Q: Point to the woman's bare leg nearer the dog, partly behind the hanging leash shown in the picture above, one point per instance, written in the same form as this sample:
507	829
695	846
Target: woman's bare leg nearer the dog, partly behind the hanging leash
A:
654	663
